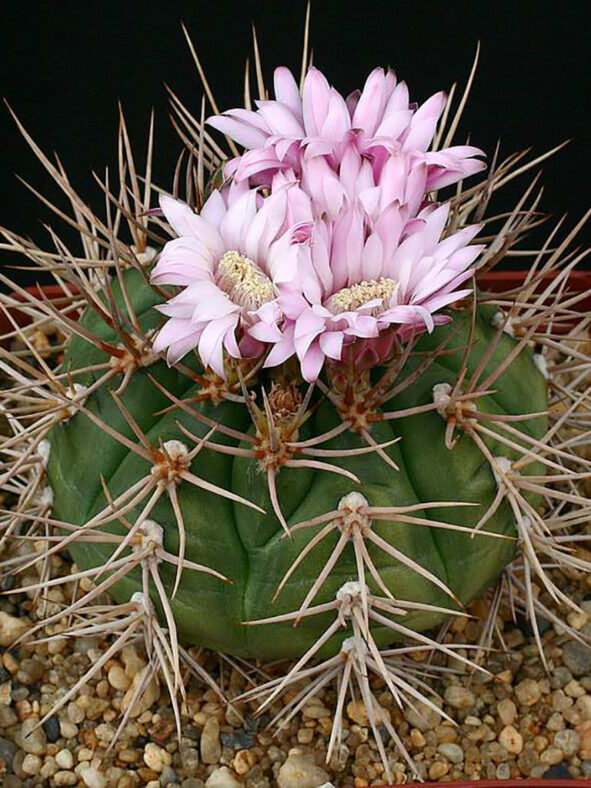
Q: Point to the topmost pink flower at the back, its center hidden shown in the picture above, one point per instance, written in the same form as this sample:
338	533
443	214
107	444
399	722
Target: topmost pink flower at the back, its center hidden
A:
378	121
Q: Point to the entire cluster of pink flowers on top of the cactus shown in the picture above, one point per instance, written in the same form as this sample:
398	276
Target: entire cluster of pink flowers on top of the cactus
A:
326	240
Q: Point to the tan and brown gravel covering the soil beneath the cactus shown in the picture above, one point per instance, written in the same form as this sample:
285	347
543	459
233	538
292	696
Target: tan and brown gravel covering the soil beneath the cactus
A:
516	722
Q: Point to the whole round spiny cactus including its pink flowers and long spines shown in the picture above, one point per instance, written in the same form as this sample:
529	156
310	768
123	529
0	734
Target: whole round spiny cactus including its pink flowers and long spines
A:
265	420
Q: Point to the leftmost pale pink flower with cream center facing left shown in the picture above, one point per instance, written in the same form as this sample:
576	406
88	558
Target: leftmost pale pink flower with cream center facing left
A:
229	260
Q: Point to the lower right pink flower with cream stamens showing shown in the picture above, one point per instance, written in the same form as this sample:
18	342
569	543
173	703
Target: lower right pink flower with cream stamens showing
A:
361	277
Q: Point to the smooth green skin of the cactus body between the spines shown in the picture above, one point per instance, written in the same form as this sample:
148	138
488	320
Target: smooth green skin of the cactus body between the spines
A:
247	546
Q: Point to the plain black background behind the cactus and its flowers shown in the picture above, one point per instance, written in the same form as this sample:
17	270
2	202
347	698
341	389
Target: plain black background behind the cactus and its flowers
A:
64	65
